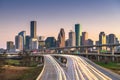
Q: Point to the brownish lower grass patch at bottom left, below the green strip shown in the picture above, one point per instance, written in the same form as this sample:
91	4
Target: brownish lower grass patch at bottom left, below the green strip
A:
20	73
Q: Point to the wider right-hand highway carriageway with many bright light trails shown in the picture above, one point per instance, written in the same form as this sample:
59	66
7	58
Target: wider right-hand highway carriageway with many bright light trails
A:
79	69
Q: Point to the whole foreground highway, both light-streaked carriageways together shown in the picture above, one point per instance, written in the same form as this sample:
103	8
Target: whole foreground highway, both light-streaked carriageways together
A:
77	68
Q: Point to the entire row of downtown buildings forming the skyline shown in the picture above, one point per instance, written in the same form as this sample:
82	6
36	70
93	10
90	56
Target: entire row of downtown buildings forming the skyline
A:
75	38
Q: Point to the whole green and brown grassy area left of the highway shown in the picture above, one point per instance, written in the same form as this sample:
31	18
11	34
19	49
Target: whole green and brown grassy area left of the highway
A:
14	70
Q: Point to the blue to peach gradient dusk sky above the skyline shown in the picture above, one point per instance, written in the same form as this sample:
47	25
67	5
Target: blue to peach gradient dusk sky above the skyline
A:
94	16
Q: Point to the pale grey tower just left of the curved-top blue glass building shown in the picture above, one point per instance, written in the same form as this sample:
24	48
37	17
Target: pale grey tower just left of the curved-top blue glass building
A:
19	42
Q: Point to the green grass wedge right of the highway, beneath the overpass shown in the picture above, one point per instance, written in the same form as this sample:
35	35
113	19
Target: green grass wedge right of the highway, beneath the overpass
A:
115	67
